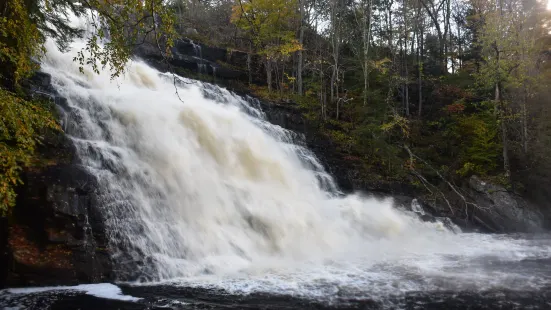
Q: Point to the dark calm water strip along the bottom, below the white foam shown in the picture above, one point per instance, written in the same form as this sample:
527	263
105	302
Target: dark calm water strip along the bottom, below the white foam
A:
167	297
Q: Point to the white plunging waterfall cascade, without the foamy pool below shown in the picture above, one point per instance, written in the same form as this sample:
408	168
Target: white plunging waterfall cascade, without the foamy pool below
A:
194	186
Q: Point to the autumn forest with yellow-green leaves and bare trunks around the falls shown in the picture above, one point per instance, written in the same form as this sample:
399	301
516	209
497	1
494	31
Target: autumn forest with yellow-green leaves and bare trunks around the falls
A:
421	92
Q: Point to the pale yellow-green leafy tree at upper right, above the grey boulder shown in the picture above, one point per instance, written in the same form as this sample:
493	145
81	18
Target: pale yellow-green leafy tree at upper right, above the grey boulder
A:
508	41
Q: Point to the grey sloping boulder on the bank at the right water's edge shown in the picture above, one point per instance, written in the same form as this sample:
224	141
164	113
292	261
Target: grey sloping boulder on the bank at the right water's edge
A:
503	210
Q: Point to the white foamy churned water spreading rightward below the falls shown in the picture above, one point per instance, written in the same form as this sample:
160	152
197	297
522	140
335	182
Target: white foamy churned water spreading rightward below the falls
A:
466	262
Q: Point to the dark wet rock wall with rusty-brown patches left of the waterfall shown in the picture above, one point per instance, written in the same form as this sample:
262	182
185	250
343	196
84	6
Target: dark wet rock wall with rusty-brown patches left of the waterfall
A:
55	233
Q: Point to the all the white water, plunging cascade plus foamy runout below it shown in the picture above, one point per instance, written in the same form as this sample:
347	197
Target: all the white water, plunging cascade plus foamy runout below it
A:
206	193
